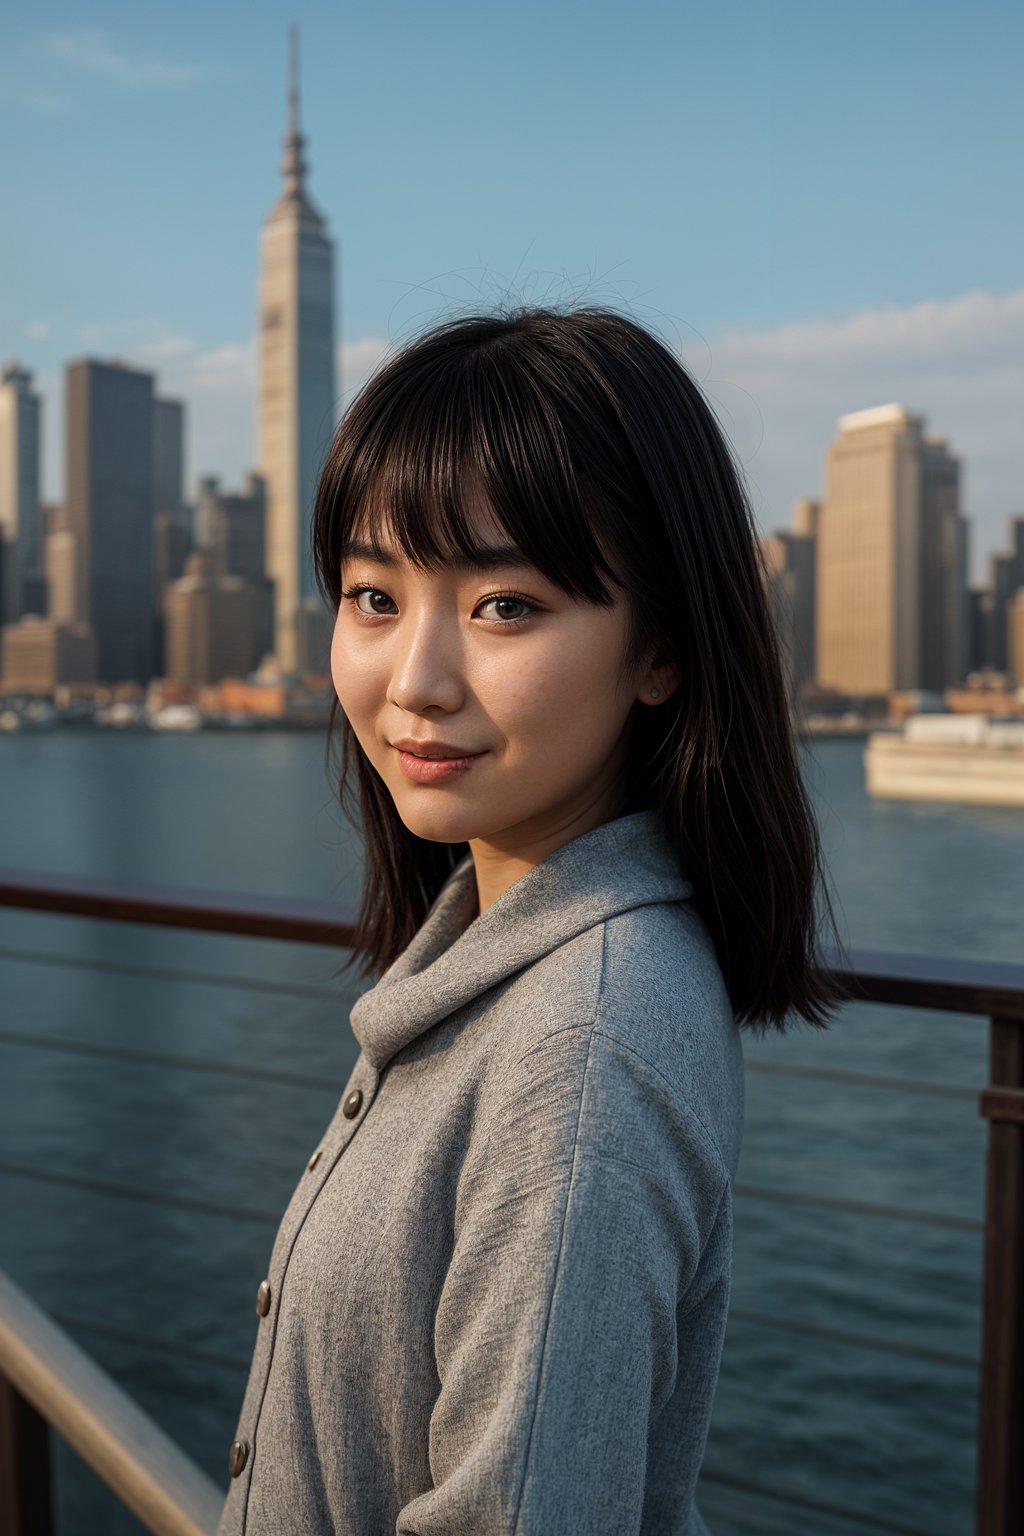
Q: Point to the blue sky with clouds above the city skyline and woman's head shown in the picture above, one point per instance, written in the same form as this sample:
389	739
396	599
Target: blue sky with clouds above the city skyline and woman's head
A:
818	204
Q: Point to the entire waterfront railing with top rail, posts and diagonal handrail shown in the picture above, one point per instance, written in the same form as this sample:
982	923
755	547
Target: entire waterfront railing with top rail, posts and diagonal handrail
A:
47	1380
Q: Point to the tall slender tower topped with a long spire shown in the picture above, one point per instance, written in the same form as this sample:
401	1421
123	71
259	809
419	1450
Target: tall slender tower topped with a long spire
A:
297	392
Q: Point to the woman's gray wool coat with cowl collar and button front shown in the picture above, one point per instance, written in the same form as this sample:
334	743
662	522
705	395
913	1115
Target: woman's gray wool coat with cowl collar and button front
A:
498	1297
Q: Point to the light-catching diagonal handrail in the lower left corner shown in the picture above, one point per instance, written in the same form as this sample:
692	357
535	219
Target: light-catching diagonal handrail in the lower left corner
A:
122	1445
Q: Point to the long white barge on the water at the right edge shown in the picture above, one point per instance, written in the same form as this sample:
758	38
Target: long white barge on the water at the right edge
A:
969	758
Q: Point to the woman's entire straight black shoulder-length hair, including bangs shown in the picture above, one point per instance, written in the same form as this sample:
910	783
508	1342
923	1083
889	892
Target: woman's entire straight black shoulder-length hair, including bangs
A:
604	463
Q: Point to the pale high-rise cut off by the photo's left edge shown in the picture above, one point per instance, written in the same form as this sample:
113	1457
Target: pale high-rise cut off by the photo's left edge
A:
21	449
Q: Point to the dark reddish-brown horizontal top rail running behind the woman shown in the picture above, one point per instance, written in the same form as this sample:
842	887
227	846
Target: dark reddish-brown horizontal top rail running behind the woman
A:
963	987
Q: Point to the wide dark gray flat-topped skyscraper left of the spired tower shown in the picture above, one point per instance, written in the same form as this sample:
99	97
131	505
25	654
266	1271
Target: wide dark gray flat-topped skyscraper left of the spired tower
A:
110	509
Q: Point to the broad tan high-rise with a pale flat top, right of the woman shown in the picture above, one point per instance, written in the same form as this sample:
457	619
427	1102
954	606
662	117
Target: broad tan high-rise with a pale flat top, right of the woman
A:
891	558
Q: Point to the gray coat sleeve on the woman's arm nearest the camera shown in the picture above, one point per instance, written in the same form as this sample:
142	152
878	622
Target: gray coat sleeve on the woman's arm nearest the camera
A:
581	1248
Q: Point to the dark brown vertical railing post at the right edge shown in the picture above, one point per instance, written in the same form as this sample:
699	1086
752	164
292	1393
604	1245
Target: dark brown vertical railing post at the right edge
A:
1000	1505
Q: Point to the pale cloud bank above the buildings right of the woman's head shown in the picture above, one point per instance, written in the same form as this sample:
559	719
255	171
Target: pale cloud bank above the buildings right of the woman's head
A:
960	363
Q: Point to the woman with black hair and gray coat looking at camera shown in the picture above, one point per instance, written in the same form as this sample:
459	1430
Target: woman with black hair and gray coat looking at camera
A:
498	1297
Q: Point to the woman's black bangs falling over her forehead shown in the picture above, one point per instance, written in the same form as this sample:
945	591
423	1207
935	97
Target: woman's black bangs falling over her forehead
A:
428	437
